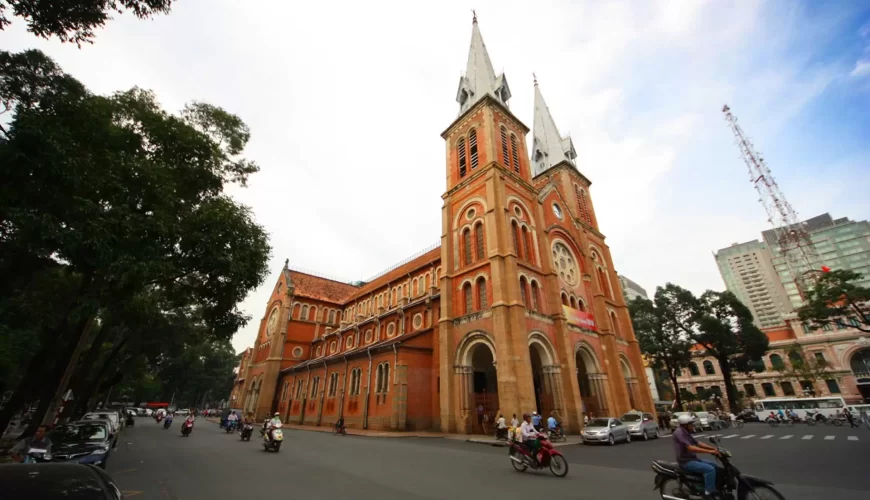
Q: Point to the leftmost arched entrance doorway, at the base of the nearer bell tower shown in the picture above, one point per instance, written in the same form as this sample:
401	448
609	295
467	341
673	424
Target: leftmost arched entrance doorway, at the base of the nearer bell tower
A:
477	381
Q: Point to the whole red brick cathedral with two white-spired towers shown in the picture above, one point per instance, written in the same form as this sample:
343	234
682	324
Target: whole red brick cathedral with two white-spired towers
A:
518	310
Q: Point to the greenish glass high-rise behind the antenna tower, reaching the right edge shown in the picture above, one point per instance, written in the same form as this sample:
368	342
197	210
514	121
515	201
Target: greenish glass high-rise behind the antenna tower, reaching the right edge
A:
840	244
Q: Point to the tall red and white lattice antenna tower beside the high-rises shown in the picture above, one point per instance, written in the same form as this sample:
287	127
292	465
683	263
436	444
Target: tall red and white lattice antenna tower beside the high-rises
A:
794	240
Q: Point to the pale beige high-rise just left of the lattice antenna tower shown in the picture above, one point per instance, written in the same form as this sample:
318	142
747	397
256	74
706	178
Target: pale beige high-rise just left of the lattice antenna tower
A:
749	273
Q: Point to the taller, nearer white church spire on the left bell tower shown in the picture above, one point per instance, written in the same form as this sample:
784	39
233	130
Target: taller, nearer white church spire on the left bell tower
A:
479	78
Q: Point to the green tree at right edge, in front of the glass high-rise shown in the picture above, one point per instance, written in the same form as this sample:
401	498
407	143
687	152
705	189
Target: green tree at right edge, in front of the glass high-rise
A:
836	297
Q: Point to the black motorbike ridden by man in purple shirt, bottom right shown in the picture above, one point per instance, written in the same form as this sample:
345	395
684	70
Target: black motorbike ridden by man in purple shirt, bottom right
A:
673	483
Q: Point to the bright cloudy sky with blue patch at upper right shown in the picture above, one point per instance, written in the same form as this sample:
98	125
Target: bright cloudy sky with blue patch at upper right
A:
346	102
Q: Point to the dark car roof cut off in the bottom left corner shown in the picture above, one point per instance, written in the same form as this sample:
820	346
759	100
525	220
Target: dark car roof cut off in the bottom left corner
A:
57	482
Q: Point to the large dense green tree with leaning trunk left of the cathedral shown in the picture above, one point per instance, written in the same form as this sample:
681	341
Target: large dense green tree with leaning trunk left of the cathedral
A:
124	197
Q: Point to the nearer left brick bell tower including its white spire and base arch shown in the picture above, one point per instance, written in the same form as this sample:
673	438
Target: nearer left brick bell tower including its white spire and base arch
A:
488	245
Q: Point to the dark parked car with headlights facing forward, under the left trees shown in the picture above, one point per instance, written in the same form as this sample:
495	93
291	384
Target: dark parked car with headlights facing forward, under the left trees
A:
87	442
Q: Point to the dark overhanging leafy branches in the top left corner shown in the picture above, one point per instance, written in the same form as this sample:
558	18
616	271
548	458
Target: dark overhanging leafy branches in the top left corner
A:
75	20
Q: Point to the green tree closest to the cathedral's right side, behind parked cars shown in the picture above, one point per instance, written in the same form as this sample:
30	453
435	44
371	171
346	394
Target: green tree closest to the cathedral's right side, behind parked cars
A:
658	326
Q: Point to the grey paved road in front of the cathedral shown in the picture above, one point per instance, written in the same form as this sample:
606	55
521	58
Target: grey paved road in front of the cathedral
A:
151	463
